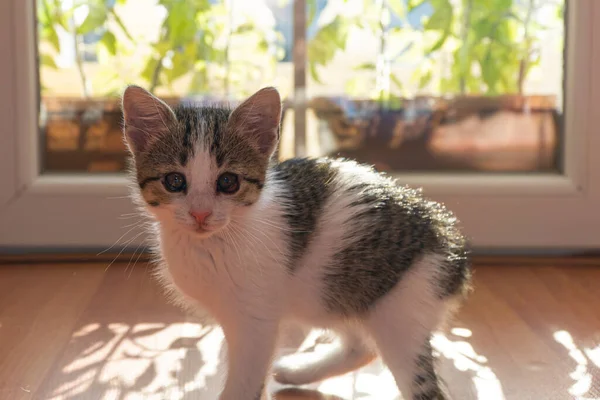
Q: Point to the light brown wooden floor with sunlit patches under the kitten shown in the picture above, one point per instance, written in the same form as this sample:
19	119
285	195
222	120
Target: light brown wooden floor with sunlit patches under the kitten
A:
77	332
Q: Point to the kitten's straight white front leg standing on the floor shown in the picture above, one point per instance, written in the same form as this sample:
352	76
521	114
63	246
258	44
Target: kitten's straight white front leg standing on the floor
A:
251	344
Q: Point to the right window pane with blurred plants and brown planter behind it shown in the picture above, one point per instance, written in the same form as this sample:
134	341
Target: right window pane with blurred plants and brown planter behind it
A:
437	85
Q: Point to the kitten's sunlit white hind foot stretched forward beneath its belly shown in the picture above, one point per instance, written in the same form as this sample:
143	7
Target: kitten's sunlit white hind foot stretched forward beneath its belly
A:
344	355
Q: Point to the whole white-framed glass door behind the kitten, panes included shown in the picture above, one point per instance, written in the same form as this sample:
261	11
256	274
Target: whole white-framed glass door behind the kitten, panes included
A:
487	105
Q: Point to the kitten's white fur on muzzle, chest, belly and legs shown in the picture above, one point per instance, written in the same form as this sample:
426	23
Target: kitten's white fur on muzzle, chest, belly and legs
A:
238	274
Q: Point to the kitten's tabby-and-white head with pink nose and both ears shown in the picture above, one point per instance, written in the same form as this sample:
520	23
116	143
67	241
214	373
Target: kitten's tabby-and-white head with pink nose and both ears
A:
199	167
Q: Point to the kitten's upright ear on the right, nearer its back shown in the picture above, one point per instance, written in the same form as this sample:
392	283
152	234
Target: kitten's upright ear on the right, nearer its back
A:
258	119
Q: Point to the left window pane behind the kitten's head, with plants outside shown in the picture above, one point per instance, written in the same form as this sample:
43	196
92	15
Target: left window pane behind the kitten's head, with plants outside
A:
183	51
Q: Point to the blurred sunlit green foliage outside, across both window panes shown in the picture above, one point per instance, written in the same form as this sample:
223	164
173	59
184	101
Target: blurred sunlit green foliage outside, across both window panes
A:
492	44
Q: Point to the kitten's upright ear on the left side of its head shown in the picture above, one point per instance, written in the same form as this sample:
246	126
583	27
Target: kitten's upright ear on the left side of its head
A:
146	118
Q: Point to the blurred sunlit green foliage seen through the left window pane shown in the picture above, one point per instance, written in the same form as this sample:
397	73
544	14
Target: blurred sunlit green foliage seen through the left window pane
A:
195	40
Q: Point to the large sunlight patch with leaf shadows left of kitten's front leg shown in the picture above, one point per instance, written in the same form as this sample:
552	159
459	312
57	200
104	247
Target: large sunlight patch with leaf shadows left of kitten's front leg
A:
148	361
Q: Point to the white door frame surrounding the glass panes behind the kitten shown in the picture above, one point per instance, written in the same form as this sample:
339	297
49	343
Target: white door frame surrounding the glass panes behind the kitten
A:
498	211
